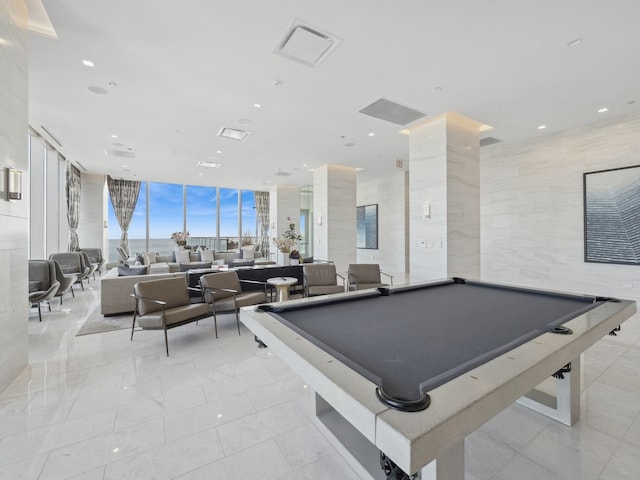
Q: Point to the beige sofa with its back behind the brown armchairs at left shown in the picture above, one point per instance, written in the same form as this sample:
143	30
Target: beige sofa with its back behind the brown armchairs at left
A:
116	290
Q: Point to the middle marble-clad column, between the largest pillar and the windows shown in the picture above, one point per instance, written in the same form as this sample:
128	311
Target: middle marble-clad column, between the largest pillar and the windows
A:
334	199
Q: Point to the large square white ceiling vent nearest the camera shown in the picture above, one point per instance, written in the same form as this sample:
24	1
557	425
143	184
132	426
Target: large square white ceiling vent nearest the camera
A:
306	45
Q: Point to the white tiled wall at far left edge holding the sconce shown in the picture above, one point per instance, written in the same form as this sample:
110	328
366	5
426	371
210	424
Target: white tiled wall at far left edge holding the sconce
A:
14	214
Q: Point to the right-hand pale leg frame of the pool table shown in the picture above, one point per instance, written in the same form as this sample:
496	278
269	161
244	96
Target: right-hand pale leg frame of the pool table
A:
564	407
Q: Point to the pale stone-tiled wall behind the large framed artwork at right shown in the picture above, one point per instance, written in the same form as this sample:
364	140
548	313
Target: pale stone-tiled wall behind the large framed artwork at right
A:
532	209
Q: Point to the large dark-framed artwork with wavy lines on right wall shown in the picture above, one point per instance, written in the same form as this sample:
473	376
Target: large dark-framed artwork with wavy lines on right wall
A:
612	216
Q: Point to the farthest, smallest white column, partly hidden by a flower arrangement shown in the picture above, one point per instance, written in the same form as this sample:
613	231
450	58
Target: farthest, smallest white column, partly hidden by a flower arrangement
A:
284	209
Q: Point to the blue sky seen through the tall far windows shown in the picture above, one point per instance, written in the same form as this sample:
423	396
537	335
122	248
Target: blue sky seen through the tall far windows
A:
166	211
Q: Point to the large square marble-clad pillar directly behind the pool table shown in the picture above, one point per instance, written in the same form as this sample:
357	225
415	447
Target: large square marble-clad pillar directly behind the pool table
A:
444	198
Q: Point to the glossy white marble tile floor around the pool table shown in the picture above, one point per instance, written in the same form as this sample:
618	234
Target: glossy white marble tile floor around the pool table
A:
100	407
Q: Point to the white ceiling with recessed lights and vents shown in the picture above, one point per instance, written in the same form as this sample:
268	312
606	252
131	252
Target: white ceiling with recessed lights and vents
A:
184	69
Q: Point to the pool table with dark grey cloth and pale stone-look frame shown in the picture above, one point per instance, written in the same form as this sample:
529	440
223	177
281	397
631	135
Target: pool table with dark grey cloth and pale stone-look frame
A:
409	371
